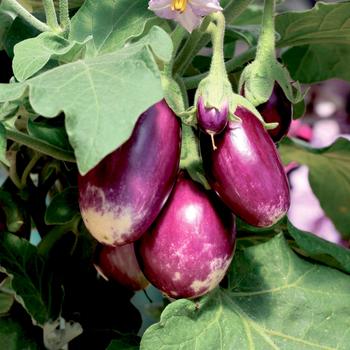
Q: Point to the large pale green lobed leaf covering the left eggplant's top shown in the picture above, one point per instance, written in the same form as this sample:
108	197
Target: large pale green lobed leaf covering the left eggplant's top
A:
101	97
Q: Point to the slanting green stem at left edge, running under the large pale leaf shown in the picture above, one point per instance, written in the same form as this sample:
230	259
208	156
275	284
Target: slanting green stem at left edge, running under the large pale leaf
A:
40	146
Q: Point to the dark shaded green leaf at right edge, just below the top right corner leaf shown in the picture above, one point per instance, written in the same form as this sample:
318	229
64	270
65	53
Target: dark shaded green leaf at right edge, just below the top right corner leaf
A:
313	63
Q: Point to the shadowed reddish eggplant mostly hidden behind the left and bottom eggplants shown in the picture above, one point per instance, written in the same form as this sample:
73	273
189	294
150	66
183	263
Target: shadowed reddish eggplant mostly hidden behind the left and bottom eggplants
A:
120	264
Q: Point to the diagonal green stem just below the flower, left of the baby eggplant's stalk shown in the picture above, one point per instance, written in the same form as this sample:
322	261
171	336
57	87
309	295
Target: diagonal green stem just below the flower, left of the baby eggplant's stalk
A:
189	50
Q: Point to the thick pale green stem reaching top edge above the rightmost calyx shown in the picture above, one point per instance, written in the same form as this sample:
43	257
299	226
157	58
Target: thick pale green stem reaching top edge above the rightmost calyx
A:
266	45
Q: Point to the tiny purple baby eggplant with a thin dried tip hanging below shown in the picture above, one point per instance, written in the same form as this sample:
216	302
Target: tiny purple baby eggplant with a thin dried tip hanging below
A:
211	120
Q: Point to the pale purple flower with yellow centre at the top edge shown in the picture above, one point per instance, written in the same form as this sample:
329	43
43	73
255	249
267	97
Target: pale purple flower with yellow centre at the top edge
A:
188	13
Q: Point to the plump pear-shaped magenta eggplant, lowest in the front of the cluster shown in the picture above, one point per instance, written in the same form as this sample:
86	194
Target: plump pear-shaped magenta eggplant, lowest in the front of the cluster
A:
188	249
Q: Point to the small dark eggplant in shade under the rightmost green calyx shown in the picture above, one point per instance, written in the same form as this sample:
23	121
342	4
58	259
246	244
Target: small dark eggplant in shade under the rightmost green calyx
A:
277	109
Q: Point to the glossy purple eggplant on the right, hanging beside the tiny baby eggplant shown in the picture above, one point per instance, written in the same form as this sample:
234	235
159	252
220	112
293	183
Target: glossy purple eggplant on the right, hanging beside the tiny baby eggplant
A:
246	172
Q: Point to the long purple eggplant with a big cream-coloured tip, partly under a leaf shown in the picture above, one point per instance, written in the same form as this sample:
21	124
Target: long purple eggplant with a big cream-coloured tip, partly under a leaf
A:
124	193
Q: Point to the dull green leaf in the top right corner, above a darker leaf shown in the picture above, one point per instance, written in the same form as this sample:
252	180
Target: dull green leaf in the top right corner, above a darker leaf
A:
324	23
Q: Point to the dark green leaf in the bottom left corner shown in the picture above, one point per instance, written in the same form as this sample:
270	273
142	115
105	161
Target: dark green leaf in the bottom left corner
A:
13	336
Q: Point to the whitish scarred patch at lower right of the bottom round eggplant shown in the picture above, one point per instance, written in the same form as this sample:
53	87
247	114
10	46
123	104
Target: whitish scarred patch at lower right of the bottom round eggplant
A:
218	269
